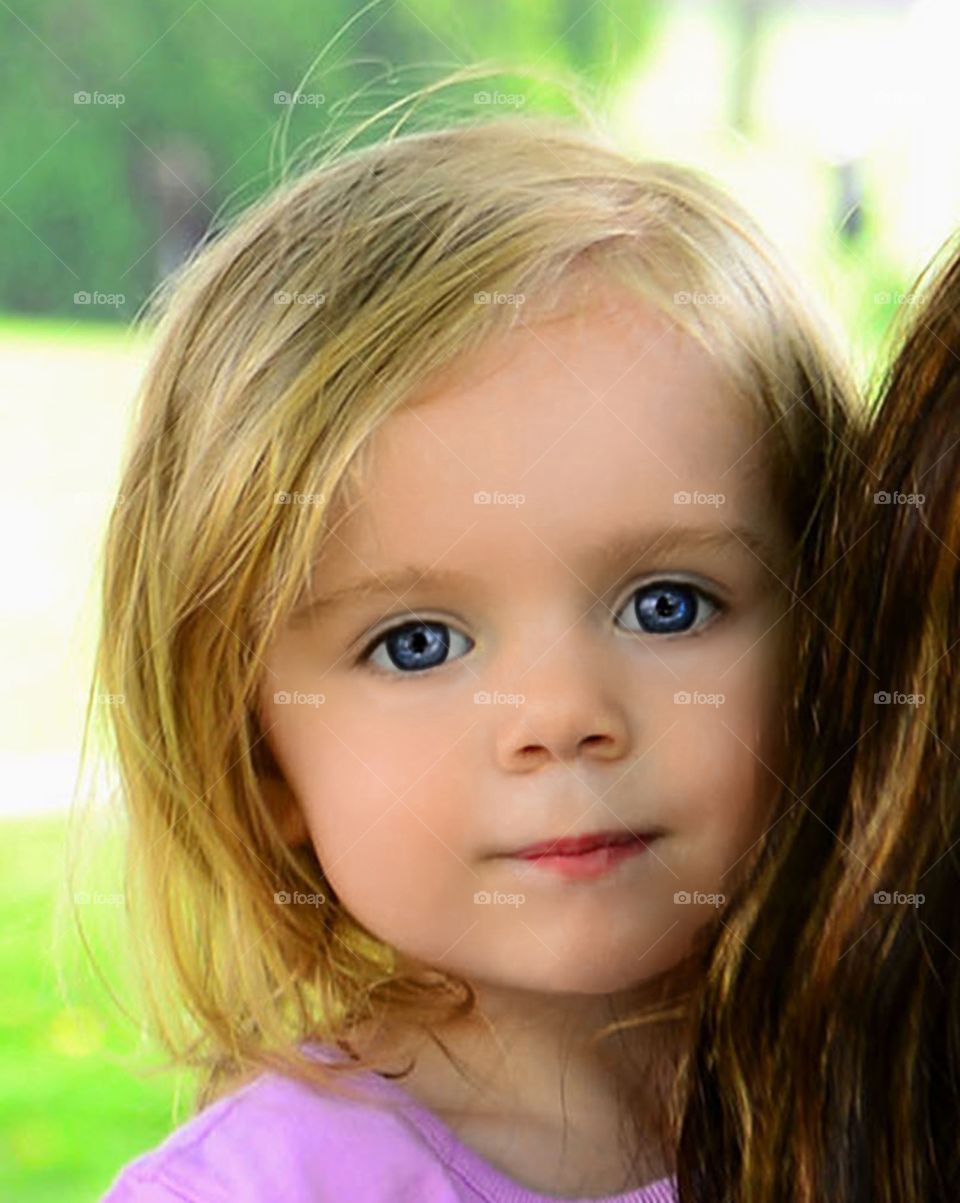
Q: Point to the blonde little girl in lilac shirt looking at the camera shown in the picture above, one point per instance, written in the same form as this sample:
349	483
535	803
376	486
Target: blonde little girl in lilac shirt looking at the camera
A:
448	600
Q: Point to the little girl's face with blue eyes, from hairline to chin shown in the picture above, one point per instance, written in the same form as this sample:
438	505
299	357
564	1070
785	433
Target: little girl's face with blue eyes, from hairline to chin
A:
578	528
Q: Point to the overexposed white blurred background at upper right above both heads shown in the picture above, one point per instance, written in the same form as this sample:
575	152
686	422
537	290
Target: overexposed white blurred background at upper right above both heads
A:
781	100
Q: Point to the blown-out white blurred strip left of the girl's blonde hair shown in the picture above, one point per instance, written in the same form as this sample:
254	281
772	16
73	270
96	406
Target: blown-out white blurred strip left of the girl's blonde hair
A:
67	405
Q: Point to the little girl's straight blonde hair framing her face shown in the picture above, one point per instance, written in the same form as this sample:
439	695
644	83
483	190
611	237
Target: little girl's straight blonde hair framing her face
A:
282	347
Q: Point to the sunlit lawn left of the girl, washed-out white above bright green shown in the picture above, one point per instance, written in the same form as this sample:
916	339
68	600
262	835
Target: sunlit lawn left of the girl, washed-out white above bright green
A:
73	1110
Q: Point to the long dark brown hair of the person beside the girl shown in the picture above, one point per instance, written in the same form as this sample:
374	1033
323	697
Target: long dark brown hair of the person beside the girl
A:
828	1059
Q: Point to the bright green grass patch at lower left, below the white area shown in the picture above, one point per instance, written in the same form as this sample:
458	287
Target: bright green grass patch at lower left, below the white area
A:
72	1112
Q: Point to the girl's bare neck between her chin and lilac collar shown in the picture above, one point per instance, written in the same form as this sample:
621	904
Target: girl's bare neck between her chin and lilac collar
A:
530	1059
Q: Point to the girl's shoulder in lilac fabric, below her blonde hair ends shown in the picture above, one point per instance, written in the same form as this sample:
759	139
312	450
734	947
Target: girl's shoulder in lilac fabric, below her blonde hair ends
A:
280	1139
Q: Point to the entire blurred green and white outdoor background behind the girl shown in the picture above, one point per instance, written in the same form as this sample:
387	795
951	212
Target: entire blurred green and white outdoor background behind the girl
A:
132	133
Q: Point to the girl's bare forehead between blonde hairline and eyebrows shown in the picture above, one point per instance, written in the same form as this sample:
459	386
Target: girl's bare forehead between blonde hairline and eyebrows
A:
559	430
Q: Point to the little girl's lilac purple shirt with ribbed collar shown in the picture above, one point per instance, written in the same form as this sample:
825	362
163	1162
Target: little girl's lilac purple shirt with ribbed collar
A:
278	1141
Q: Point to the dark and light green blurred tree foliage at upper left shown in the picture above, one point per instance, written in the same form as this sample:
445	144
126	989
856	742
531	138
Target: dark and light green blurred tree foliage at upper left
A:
132	128
